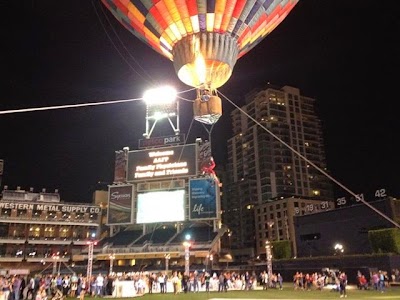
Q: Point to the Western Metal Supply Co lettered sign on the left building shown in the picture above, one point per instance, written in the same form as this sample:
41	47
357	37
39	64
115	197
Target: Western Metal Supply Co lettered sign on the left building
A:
50	207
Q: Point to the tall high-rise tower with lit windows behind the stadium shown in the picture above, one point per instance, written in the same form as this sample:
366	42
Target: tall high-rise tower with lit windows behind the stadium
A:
262	169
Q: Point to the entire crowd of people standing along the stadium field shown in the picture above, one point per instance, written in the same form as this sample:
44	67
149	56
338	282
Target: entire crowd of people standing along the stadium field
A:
58	287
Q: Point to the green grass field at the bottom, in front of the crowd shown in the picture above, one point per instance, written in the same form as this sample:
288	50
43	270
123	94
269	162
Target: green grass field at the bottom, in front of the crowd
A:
286	293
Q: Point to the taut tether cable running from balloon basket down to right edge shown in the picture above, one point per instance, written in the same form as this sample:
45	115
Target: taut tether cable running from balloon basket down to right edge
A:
314	165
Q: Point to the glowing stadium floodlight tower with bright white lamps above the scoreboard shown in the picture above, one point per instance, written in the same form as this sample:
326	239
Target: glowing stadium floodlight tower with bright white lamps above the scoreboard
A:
161	104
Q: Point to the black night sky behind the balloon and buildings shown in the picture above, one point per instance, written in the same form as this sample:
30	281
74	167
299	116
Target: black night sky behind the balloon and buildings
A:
343	53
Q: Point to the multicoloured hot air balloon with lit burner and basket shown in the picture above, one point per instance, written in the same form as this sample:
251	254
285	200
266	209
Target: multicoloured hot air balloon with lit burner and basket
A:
203	38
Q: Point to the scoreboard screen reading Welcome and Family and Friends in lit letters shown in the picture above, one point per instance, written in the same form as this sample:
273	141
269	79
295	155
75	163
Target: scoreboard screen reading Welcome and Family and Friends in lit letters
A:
162	162
